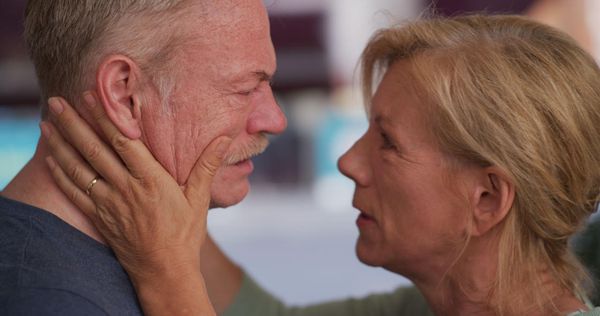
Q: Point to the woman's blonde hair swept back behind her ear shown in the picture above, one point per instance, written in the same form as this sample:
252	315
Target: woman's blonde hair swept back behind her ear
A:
509	92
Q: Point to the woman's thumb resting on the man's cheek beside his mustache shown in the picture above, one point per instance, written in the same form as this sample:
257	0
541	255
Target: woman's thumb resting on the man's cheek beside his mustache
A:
197	190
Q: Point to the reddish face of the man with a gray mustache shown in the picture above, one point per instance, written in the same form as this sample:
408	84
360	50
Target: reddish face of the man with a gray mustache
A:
221	88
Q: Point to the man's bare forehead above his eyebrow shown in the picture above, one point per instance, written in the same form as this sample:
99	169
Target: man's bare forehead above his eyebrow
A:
233	38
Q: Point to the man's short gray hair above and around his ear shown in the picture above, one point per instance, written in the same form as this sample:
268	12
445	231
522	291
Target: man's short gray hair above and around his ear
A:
67	38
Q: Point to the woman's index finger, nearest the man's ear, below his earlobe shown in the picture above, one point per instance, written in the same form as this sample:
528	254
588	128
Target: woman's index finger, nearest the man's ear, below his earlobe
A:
133	152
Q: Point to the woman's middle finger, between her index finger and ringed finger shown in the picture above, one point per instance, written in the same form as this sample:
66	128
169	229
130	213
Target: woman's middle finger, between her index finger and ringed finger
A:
81	136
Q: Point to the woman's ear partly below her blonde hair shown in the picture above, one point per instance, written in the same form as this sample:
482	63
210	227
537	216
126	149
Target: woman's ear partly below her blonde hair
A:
493	197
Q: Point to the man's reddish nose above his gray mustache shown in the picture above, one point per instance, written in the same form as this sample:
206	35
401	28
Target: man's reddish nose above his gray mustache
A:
267	117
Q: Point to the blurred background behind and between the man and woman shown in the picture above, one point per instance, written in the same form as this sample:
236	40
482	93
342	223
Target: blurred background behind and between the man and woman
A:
295	232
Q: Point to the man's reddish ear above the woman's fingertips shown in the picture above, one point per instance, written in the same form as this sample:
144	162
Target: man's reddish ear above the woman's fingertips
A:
118	81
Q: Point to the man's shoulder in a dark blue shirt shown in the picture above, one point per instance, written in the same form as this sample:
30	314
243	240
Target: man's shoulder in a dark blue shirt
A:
41	254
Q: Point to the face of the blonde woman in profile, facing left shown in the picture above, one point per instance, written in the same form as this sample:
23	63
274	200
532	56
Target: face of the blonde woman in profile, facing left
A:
412	216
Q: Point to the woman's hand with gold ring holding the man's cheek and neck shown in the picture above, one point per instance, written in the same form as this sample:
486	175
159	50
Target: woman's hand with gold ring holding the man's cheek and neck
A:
155	227
